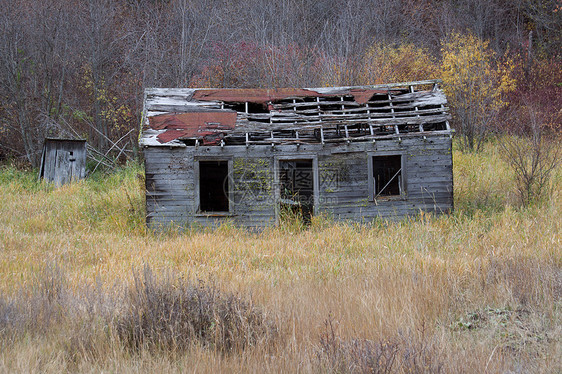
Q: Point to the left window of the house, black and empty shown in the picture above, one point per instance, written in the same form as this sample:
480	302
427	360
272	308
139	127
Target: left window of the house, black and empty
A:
213	186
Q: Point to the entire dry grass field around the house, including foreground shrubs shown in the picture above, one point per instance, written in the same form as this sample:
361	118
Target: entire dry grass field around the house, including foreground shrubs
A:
84	287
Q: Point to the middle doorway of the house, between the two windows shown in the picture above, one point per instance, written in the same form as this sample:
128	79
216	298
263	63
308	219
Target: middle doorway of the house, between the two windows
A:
297	187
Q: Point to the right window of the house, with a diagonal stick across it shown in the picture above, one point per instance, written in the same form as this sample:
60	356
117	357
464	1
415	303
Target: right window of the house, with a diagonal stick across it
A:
386	176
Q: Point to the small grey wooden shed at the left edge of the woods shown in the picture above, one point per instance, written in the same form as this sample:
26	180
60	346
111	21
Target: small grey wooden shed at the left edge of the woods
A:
63	160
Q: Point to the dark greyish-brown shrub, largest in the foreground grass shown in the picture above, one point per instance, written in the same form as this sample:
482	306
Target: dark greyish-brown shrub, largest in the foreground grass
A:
163	313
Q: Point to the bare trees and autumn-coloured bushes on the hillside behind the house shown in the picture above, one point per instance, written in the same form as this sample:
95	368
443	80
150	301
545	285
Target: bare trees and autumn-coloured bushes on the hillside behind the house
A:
79	68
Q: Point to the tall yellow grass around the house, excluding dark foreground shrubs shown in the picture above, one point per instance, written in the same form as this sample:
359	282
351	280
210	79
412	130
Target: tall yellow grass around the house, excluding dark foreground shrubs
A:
479	290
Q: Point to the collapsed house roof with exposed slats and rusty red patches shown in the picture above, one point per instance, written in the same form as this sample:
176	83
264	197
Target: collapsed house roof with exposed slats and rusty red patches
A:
185	116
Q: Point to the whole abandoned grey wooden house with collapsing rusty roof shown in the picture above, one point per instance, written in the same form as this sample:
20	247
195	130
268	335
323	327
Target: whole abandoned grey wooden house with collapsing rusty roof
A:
248	155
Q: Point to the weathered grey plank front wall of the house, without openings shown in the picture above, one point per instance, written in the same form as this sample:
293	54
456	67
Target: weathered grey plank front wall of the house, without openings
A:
341	179
